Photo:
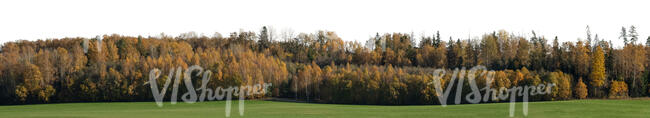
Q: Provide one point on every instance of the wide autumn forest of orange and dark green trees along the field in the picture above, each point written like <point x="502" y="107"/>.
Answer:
<point x="320" y="67"/>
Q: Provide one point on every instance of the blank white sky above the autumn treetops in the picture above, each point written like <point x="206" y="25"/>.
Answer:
<point x="351" y="20"/>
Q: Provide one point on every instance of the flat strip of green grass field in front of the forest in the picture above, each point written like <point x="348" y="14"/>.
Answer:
<point x="272" y="109"/>
